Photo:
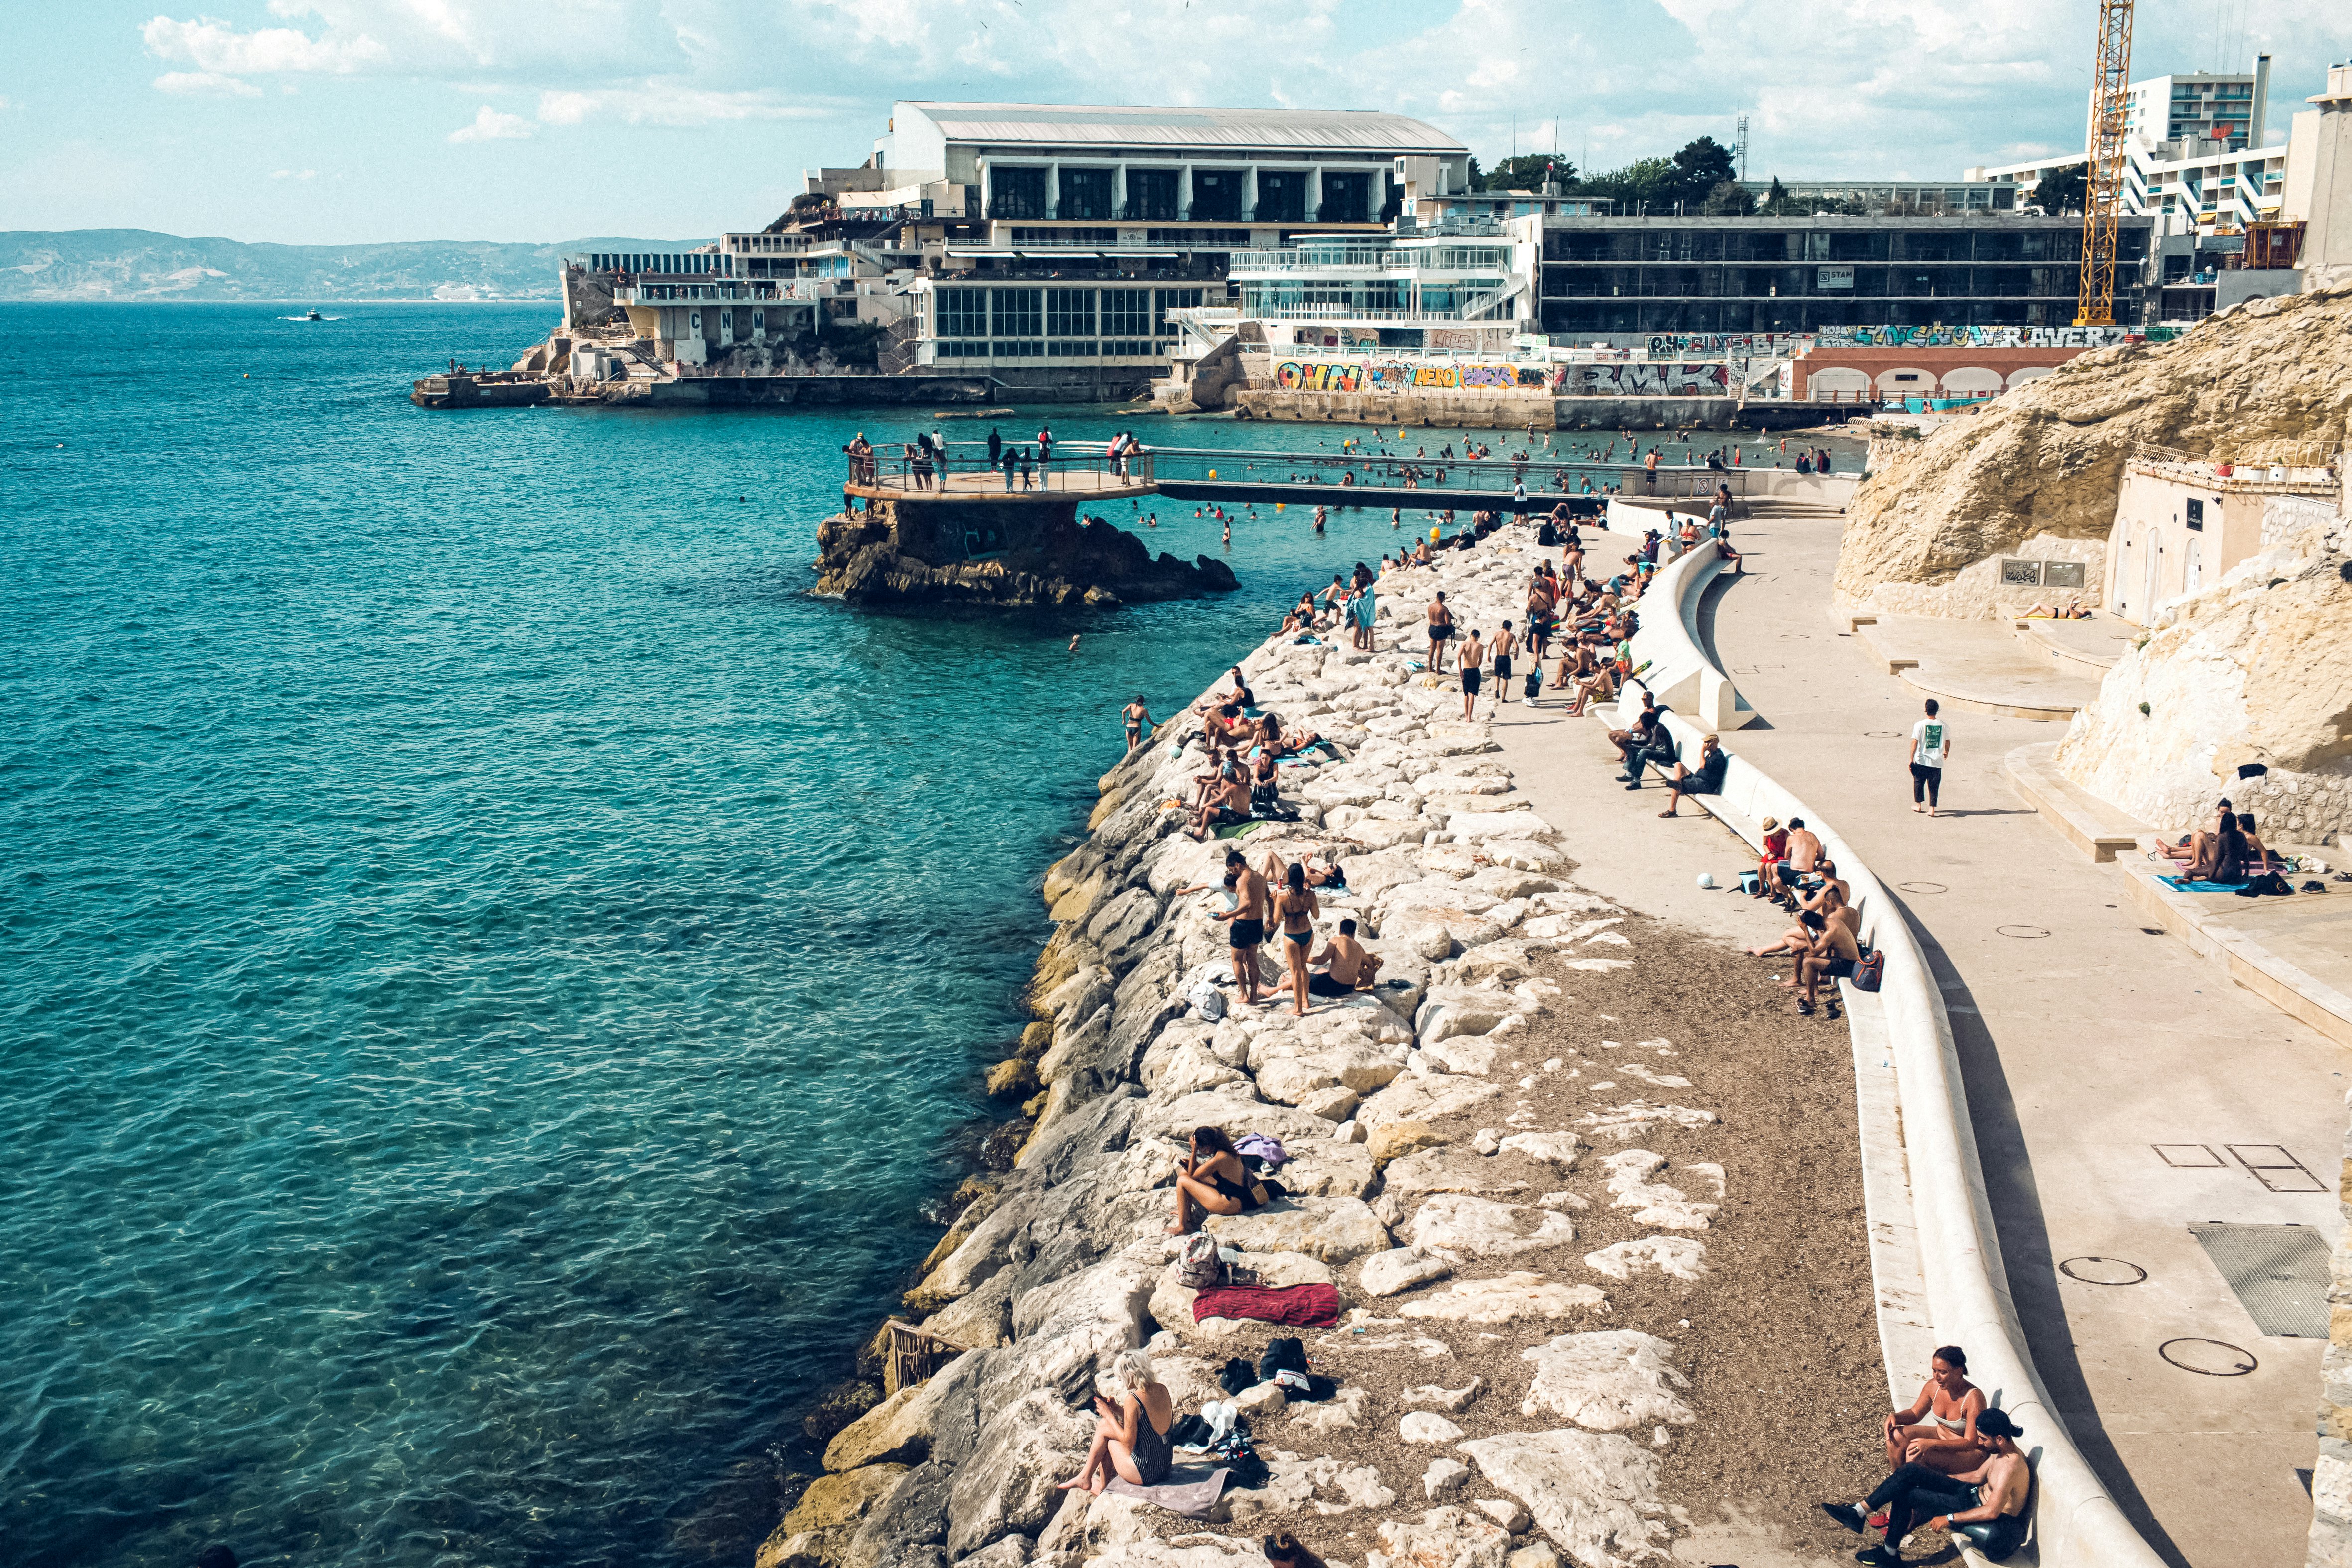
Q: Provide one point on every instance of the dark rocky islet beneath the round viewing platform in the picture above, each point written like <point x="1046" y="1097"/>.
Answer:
<point x="918" y="554"/>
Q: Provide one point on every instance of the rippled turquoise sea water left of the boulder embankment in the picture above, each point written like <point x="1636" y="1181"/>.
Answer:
<point x="493" y="967"/>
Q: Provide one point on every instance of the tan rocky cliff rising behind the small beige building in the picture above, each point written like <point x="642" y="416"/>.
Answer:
<point x="2038" y="474"/>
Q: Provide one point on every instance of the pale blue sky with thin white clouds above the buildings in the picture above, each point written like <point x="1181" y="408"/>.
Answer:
<point x="368" y="121"/>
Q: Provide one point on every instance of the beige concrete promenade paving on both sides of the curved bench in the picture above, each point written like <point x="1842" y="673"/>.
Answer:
<point x="2102" y="1061"/>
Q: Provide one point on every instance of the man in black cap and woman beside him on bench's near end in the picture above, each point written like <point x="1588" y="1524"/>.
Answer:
<point x="1956" y="1466"/>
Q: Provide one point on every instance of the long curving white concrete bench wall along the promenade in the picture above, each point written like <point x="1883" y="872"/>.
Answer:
<point x="1958" y="1252"/>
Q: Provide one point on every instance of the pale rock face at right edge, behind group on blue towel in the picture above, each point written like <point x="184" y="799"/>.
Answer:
<point x="2257" y="669"/>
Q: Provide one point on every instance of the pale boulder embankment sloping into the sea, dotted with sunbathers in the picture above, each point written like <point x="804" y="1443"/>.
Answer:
<point x="1497" y="1193"/>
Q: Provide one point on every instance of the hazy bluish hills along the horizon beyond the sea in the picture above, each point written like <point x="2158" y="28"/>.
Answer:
<point x="142" y="264"/>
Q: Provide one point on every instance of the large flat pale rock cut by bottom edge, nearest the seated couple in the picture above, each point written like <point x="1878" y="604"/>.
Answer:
<point x="1596" y="1494"/>
